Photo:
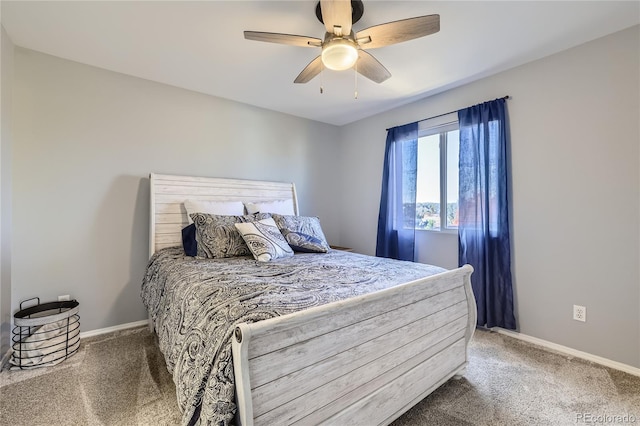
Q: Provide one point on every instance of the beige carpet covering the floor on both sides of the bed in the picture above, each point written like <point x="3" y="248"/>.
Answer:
<point x="121" y="379"/>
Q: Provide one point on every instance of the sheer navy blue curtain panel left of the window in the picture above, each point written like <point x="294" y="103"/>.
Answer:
<point x="397" y="216"/>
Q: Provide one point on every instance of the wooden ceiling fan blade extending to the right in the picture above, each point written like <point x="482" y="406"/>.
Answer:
<point x="398" y="31"/>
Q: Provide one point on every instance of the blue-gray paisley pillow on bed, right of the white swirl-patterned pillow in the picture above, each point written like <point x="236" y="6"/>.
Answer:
<point x="304" y="227"/>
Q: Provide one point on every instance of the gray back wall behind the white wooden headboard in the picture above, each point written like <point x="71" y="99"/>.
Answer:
<point x="86" y="140"/>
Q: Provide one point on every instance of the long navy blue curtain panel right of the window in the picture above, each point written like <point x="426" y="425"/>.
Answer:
<point x="483" y="228"/>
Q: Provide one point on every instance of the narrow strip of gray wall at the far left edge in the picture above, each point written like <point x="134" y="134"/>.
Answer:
<point x="6" y="85"/>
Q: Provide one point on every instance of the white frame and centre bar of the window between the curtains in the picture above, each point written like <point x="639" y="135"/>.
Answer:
<point x="440" y="126"/>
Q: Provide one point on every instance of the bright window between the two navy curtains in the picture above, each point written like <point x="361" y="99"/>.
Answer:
<point x="437" y="177"/>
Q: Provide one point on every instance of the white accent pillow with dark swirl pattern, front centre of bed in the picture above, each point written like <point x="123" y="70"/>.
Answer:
<point x="264" y="240"/>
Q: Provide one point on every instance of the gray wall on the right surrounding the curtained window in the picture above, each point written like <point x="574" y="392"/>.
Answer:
<point x="576" y="192"/>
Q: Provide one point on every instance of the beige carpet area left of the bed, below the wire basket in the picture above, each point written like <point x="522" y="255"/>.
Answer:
<point x="116" y="379"/>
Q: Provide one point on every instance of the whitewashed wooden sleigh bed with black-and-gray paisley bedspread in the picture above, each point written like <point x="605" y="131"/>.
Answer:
<point x="332" y="338"/>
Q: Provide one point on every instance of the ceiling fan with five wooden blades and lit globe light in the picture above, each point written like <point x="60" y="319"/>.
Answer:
<point x="342" y="48"/>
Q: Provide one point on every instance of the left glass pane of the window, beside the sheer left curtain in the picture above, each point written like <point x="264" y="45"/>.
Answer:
<point x="428" y="184"/>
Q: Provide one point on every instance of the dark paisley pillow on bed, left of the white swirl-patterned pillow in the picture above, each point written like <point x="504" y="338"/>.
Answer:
<point x="217" y="236"/>
